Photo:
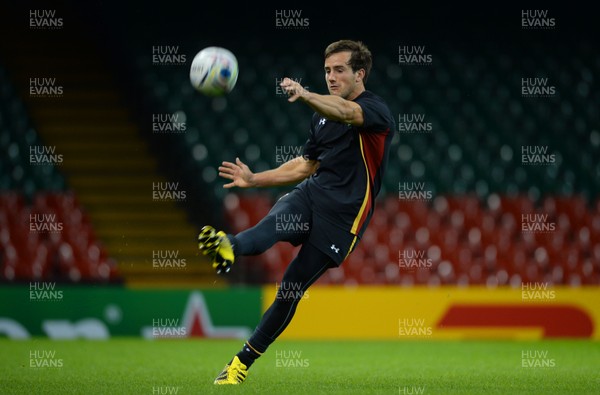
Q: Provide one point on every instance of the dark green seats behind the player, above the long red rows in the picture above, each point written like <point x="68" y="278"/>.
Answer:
<point x="479" y="122"/>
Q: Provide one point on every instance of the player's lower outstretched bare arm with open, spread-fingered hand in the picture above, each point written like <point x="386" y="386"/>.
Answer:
<point x="290" y="172"/>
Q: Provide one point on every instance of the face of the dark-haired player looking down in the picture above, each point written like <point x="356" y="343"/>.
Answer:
<point x="341" y="80"/>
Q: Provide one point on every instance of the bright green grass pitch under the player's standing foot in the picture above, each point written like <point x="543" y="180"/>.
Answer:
<point x="135" y="366"/>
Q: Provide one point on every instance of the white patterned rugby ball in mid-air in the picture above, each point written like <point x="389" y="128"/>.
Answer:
<point x="214" y="71"/>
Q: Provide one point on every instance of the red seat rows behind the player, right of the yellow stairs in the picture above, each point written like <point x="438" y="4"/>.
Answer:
<point x="462" y="240"/>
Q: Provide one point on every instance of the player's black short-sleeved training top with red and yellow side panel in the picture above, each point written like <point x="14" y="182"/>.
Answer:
<point x="352" y="163"/>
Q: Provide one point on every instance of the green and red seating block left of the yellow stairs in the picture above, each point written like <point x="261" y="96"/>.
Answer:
<point x="45" y="234"/>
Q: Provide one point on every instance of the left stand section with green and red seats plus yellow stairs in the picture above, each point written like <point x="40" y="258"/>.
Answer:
<point x="102" y="189"/>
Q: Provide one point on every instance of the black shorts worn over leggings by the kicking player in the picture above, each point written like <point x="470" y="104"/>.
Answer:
<point x="296" y="222"/>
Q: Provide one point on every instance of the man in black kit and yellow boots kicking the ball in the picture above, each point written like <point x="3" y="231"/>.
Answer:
<point x="339" y="176"/>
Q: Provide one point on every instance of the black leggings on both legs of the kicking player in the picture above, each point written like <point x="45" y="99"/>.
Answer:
<point x="301" y="273"/>
